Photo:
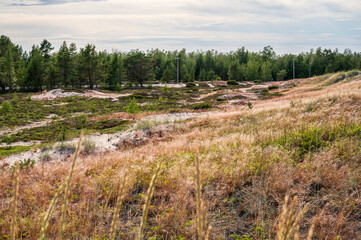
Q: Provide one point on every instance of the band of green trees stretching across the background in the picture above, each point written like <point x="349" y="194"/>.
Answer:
<point x="43" y="68"/>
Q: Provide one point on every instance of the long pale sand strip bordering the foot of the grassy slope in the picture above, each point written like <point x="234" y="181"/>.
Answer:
<point x="105" y="142"/>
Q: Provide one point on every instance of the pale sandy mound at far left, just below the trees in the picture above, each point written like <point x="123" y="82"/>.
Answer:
<point x="59" y="93"/>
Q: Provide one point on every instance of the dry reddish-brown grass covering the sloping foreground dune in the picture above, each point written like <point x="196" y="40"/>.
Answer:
<point x="304" y="144"/>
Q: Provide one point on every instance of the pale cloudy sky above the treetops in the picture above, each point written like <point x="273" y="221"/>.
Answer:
<point x="289" y="26"/>
